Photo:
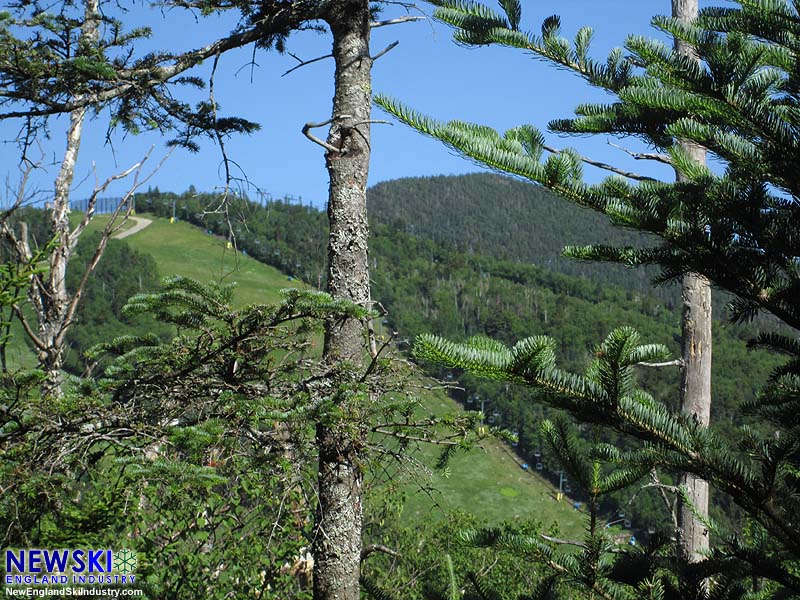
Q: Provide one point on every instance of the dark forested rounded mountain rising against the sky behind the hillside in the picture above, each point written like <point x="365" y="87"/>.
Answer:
<point x="494" y="215"/>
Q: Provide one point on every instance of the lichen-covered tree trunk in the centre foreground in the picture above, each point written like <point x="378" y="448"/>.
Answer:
<point x="337" y="539"/>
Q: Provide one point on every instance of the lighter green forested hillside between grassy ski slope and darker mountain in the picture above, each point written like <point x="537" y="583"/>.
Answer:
<point x="430" y="286"/>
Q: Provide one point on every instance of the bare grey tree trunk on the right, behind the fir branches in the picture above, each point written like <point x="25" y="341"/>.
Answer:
<point x="696" y="352"/>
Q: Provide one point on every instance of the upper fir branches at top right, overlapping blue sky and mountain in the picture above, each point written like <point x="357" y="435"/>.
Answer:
<point x="737" y="106"/>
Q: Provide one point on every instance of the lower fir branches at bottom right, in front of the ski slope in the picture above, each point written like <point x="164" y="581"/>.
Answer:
<point x="606" y="395"/>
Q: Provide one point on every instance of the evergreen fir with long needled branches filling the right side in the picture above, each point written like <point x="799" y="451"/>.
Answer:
<point x="738" y="99"/>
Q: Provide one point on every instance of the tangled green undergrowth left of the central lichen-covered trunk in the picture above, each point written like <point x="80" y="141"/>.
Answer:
<point x="193" y="450"/>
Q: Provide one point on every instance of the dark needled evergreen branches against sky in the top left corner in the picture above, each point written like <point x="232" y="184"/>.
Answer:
<point x="51" y="63"/>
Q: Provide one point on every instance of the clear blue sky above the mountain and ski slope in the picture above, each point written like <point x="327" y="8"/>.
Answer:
<point x="497" y="87"/>
